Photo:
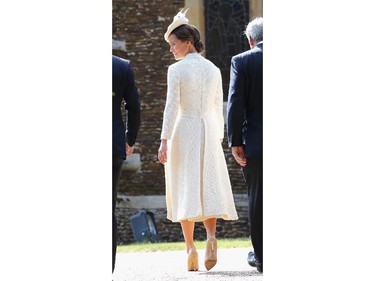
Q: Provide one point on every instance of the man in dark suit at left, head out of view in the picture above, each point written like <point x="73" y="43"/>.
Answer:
<point x="124" y="92"/>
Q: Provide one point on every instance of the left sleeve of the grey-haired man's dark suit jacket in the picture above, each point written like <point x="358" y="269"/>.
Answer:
<point x="236" y="104"/>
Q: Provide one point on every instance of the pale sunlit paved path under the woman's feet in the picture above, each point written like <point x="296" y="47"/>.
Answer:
<point x="171" y="265"/>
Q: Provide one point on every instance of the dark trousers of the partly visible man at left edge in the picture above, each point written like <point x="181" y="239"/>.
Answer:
<point x="116" y="173"/>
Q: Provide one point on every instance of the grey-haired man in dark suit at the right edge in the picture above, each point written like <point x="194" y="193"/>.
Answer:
<point x="245" y="129"/>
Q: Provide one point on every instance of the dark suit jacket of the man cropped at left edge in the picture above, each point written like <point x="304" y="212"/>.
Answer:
<point x="124" y="90"/>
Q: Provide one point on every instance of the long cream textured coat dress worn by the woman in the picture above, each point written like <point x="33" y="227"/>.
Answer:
<point x="197" y="180"/>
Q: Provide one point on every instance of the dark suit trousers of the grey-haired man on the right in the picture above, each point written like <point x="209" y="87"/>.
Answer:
<point x="253" y="174"/>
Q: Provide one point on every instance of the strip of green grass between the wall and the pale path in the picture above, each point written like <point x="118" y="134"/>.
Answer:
<point x="174" y="246"/>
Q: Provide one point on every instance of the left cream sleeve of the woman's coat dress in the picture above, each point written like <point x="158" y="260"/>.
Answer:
<point x="172" y="103"/>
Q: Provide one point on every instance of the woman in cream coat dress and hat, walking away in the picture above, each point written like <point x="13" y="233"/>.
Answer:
<point x="197" y="181"/>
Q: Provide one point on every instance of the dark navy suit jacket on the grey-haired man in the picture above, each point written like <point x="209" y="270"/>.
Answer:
<point x="245" y="101"/>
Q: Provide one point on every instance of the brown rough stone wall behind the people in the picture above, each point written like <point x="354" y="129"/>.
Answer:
<point x="138" y="29"/>
